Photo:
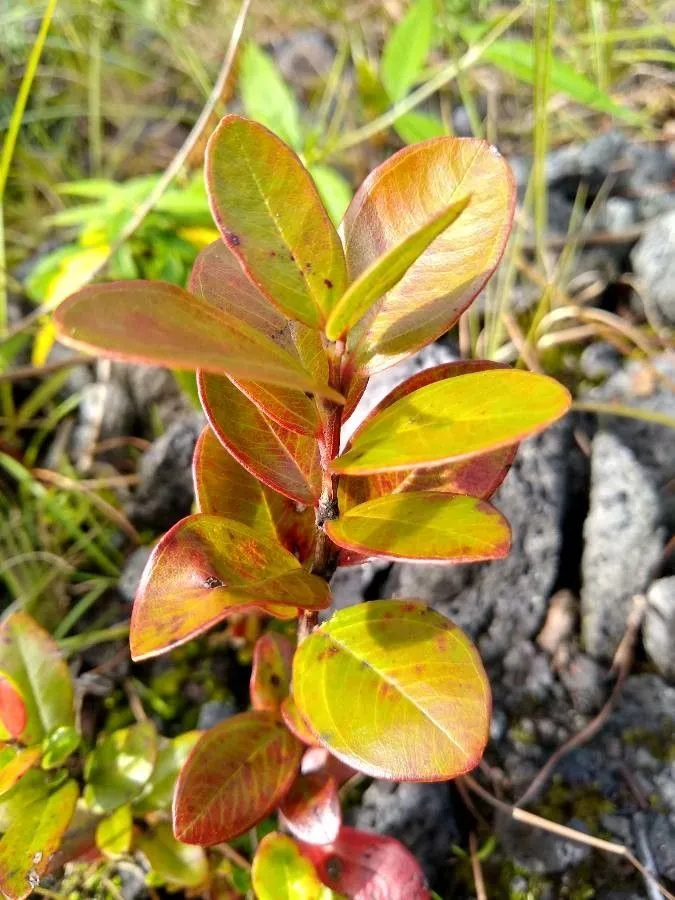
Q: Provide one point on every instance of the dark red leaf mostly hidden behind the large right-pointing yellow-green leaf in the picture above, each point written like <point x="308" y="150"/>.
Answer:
<point x="478" y="476"/>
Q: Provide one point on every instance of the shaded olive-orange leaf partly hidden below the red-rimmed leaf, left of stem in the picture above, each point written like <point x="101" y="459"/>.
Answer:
<point x="225" y="488"/>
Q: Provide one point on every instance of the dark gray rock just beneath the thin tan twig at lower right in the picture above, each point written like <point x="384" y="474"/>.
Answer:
<point x="537" y="851"/>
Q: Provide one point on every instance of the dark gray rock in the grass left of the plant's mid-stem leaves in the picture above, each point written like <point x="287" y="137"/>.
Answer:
<point x="165" y="492"/>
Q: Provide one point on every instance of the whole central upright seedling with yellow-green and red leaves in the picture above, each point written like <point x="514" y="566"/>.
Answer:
<point x="285" y="319"/>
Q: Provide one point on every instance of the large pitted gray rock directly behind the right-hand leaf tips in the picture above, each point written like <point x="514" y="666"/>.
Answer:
<point x="507" y="597"/>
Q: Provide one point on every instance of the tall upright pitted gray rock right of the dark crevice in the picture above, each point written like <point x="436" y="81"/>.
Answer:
<point x="623" y="543"/>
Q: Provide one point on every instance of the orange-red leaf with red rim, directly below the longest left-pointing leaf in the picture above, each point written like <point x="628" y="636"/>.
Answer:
<point x="284" y="461"/>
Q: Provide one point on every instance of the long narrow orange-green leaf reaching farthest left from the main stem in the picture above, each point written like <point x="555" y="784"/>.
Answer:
<point x="155" y="323"/>
